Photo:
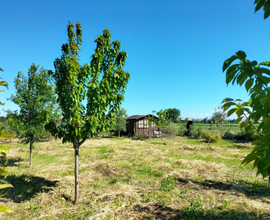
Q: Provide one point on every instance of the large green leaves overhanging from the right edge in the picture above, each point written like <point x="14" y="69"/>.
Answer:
<point x="256" y="79"/>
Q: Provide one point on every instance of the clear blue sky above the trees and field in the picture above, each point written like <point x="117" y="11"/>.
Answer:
<point x="175" y="48"/>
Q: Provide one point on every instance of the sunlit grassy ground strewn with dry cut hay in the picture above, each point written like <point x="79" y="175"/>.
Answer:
<point x="120" y="178"/>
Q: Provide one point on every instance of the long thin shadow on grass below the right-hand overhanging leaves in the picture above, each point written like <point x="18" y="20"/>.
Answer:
<point x="249" y="189"/>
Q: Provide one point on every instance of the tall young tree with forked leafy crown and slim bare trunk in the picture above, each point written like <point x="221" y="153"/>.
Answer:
<point x="102" y="84"/>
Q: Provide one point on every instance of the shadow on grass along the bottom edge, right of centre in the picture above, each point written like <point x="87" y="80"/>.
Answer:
<point x="193" y="211"/>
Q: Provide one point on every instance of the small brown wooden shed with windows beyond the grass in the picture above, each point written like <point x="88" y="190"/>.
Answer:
<point x="138" y="125"/>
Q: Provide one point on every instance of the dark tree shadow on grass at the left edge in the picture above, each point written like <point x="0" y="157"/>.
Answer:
<point x="26" y="187"/>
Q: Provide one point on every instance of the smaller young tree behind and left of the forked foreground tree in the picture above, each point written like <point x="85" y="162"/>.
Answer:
<point x="36" y="99"/>
